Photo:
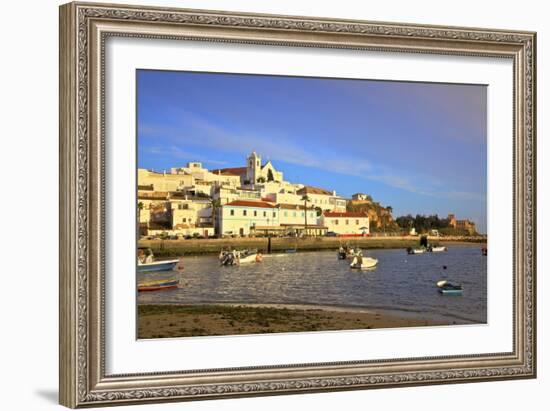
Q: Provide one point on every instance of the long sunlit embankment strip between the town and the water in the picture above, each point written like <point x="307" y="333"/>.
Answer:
<point x="194" y="247"/>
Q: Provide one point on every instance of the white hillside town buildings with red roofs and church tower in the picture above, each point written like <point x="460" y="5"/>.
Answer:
<point x="253" y="201"/>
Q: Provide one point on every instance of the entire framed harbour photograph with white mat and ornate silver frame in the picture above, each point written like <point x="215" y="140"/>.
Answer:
<point x="260" y="204"/>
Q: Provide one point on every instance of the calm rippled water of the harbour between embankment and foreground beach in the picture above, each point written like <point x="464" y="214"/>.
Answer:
<point x="399" y="282"/>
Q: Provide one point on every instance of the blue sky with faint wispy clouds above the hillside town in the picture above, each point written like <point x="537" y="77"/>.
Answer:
<point x="419" y="147"/>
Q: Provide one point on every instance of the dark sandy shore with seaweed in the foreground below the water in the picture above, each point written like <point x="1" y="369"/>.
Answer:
<point x="186" y="320"/>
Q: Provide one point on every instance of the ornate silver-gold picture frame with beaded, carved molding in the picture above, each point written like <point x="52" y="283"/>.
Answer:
<point x="84" y="29"/>
